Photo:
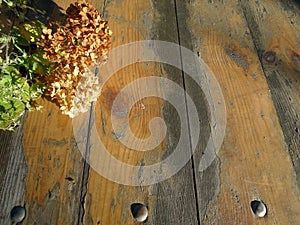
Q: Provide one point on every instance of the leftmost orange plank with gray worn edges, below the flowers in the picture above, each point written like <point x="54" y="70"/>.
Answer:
<point x="44" y="167"/>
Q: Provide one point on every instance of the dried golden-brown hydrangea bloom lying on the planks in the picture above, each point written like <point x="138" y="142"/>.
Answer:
<point x="73" y="48"/>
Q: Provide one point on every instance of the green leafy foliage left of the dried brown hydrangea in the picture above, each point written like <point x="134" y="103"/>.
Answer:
<point x="18" y="90"/>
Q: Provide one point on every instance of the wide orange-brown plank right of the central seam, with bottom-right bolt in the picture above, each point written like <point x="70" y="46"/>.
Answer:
<point x="253" y="162"/>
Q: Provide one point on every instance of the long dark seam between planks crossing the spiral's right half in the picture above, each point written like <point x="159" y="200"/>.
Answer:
<point x="188" y="117"/>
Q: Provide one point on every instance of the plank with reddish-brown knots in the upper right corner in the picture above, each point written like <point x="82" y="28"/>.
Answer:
<point x="279" y="50"/>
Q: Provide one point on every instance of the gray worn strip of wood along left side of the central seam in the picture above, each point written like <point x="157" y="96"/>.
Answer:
<point x="176" y="197"/>
